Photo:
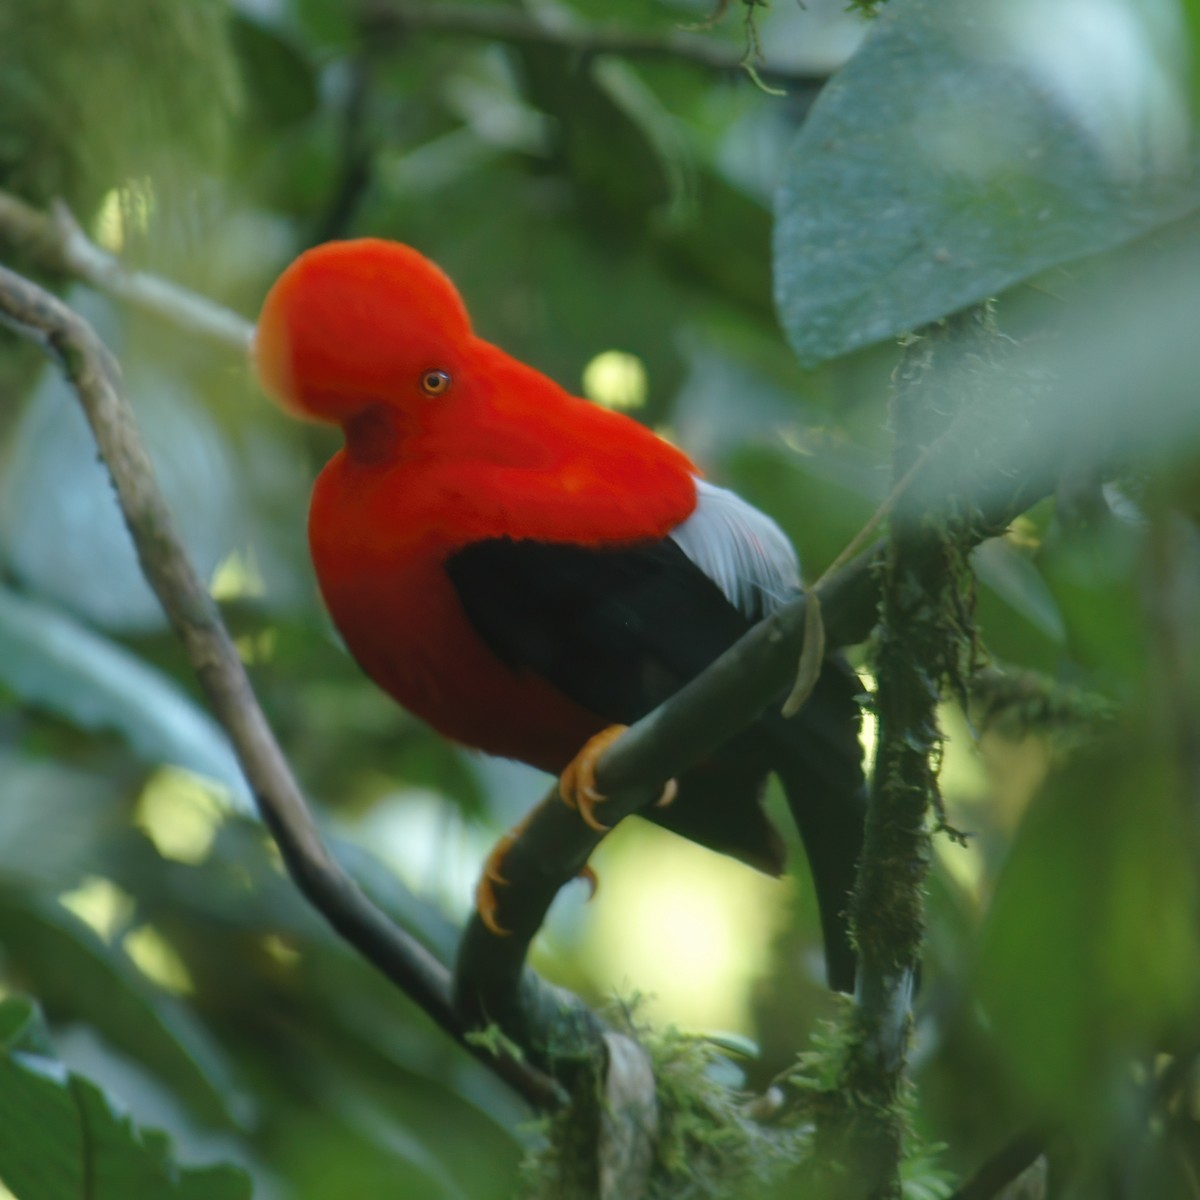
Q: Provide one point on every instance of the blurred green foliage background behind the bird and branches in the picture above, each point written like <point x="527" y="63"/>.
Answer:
<point x="586" y="206"/>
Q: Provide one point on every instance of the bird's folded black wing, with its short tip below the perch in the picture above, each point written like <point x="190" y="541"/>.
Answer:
<point x="619" y="631"/>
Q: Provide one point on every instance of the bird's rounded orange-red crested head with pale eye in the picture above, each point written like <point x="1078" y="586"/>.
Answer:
<point x="355" y="328"/>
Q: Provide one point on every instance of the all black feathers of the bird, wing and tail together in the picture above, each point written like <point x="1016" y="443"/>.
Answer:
<point x="621" y="629"/>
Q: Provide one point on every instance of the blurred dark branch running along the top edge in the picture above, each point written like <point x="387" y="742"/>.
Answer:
<point x="520" y="28"/>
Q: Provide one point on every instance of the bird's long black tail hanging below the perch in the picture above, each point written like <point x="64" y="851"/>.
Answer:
<point x="819" y="760"/>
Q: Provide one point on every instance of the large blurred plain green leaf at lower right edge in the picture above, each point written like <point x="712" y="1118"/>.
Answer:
<point x="1090" y="952"/>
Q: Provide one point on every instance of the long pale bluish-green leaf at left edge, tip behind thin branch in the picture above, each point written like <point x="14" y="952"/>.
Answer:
<point x="52" y="662"/>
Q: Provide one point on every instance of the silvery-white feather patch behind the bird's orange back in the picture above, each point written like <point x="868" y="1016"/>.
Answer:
<point x="741" y="550"/>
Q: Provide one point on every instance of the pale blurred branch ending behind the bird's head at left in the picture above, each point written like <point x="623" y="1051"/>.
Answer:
<point x="56" y="243"/>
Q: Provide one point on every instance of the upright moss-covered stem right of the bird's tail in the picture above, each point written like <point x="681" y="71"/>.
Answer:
<point x="946" y="386"/>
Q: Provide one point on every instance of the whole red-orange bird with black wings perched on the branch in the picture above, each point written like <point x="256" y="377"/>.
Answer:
<point x="524" y="569"/>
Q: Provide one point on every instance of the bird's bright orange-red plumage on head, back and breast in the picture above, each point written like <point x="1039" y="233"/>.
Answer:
<point x="347" y="335"/>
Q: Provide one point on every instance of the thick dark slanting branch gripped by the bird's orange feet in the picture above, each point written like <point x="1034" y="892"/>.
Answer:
<point x="554" y="845"/>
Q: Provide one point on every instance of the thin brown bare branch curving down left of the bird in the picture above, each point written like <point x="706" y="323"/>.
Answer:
<point x="94" y="375"/>
